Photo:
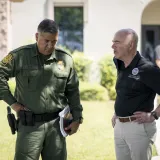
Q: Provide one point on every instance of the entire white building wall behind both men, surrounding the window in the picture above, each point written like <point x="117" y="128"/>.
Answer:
<point x="102" y="19"/>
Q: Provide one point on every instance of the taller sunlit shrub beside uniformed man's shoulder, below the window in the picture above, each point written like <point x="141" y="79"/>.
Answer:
<point x="82" y="65"/>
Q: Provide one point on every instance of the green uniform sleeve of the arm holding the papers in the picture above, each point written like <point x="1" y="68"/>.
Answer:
<point x="72" y="94"/>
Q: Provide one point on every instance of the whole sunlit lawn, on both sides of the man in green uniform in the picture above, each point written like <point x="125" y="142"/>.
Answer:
<point x="93" y="141"/>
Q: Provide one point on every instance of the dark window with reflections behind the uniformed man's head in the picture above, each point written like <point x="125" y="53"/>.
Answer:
<point x="70" y="21"/>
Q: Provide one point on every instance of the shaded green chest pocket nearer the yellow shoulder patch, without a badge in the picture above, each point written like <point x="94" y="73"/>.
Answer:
<point x="31" y="79"/>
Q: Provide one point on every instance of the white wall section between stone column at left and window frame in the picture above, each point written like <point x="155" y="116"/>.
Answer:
<point x="25" y="19"/>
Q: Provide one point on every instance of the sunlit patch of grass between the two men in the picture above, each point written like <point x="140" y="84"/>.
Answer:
<point x="95" y="138"/>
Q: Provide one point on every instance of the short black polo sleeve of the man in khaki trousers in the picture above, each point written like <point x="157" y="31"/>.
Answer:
<point x="150" y="76"/>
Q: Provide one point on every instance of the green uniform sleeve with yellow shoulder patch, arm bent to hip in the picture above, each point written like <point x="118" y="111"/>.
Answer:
<point x="7" y="70"/>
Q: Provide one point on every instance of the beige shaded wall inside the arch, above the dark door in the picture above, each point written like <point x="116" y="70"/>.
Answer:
<point x="151" y="14"/>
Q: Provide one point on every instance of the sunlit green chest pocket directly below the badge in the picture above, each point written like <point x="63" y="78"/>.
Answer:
<point x="60" y="80"/>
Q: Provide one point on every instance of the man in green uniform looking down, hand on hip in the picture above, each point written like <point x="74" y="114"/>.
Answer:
<point x="46" y="82"/>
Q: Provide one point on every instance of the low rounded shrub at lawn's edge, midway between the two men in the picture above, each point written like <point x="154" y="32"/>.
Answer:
<point x="90" y="92"/>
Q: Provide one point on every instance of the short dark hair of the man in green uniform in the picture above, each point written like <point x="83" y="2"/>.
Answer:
<point x="48" y="25"/>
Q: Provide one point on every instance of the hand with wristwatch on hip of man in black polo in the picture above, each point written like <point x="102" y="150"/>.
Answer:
<point x="143" y="117"/>
